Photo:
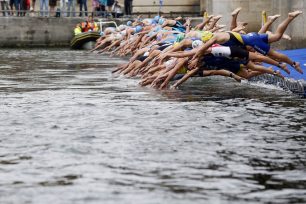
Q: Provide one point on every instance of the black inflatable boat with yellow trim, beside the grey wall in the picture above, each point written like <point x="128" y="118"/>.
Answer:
<point x="86" y="40"/>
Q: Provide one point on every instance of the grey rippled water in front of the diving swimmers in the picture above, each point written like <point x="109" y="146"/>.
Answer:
<point x="71" y="132"/>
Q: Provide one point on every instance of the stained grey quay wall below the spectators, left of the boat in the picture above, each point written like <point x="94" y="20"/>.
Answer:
<point x="37" y="31"/>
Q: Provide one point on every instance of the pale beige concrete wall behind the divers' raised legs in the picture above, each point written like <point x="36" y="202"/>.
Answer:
<point x="251" y="13"/>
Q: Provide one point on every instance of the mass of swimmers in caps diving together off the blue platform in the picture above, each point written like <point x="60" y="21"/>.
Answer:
<point x="163" y="50"/>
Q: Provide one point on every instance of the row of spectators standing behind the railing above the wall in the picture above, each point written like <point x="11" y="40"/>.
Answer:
<point x="65" y="8"/>
